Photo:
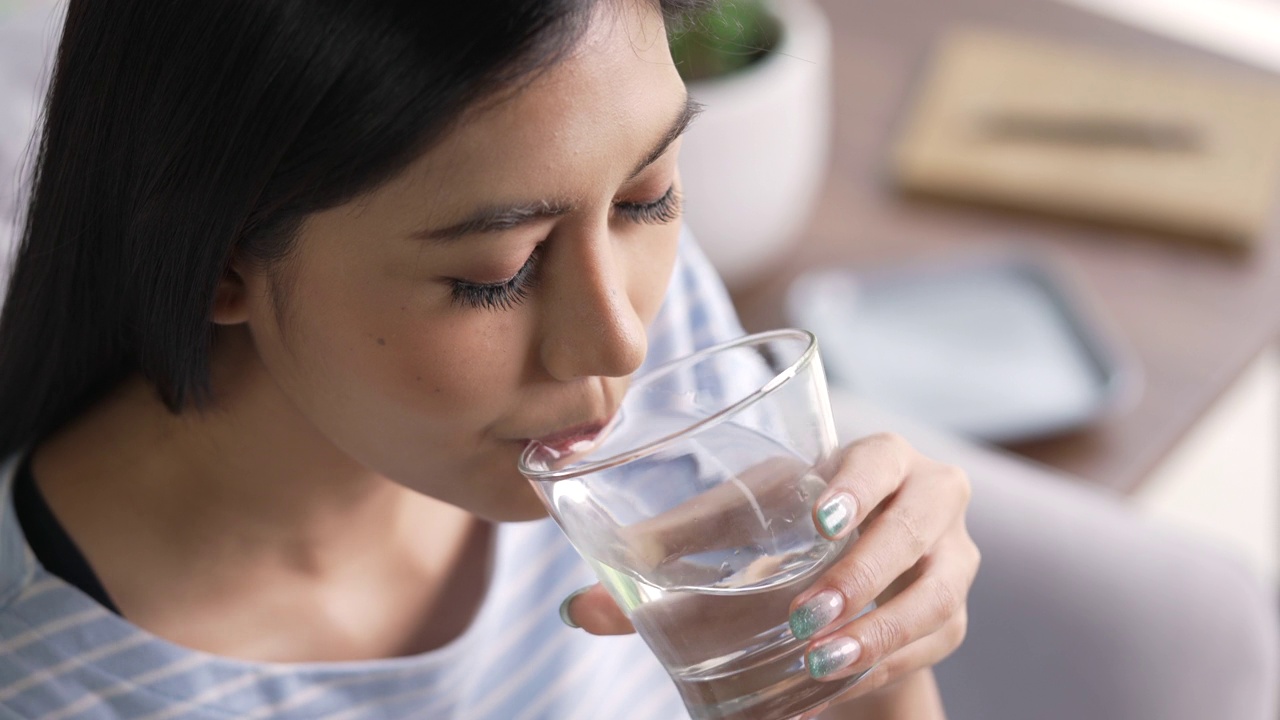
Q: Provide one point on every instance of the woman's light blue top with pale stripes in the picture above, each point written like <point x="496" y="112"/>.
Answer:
<point x="66" y="658"/>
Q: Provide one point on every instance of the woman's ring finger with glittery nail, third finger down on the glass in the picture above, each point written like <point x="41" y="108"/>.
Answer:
<point x="927" y="608"/>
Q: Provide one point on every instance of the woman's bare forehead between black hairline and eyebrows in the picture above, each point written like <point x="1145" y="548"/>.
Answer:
<point x="580" y="125"/>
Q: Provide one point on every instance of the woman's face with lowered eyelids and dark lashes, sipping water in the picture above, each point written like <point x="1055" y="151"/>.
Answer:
<point x="500" y="289"/>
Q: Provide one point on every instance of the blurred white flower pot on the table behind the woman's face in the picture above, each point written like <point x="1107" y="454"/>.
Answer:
<point x="753" y="163"/>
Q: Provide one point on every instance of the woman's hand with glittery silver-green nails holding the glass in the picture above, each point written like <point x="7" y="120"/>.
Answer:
<point x="915" y="559"/>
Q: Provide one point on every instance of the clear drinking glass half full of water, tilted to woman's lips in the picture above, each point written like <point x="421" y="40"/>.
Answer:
<point x="696" y="509"/>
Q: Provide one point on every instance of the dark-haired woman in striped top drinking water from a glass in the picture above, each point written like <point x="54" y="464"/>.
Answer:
<point x="298" y="284"/>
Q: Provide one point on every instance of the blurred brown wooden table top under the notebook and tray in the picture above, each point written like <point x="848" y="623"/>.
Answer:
<point x="1194" y="317"/>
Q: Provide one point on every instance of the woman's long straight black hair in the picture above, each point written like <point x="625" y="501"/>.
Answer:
<point x="180" y="134"/>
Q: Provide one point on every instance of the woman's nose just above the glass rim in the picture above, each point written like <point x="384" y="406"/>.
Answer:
<point x="591" y="327"/>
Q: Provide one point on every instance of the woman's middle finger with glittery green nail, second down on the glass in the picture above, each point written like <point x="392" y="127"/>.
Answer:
<point x="915" y="521"/>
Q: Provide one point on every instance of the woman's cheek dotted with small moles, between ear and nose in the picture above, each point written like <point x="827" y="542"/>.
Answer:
<point x="392" y="377"/>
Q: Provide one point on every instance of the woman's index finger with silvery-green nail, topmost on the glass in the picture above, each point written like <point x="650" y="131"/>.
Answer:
<point x="868" y="472"/>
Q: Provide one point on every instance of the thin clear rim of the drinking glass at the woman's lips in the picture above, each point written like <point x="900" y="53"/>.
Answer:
<point x="803" y="361"/>
